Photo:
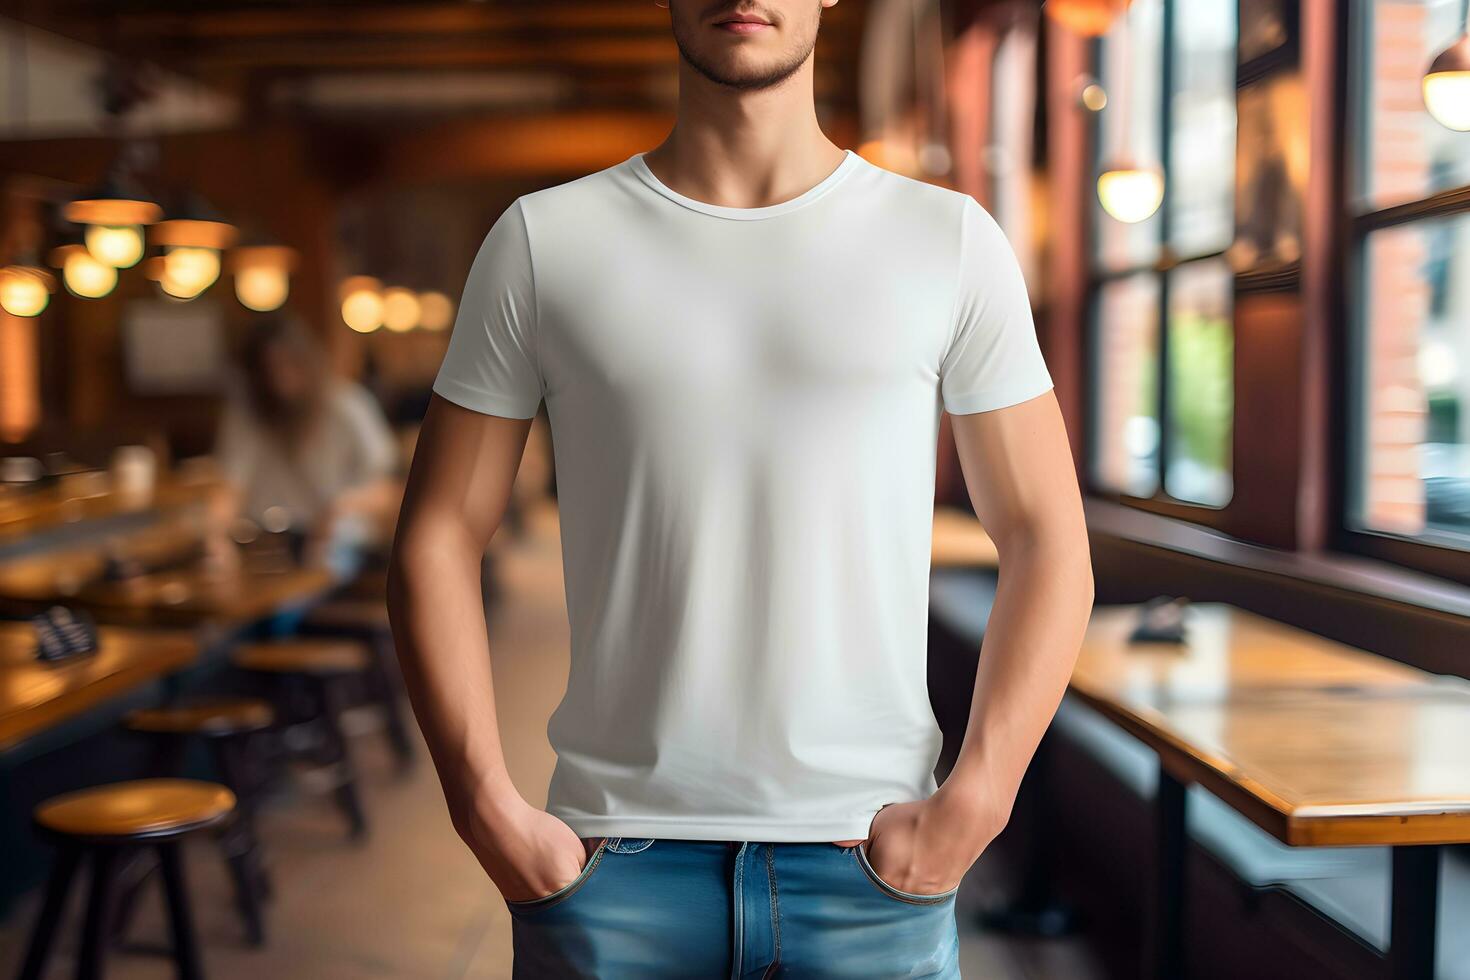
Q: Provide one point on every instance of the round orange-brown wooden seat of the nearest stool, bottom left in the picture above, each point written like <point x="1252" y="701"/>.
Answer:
<point x="137" y="809"/>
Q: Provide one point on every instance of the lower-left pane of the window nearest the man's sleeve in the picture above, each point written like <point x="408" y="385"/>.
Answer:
<point x="1127" y="386"/>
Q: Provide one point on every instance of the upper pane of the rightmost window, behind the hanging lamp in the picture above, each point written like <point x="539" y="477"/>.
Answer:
<point x="1406" y="154"/>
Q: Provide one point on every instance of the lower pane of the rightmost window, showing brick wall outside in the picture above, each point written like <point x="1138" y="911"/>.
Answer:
<point x="1415" y="417"/>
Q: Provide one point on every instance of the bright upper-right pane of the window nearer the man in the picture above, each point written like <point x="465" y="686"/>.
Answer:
<point x="1202" y="149"/>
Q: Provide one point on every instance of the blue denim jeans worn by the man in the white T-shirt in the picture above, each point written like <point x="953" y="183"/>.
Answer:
<point x="708" y="910"/>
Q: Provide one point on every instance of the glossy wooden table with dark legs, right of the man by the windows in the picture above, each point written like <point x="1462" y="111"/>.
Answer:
<point x="1316" y="743"/>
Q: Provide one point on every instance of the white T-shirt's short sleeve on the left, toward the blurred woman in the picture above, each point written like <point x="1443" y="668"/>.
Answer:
<point x="492" y="362"/>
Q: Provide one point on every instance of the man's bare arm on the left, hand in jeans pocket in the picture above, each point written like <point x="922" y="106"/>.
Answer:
<point x="459" y="484"/>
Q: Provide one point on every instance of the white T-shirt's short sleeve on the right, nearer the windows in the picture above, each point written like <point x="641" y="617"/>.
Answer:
<point x="994" y="359"/>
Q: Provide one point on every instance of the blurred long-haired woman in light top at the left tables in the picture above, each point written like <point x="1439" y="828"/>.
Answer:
<point x="305" y="450"/>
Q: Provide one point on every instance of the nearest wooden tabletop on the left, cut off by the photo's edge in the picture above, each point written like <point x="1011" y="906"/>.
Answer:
<point x="37" y="696"/>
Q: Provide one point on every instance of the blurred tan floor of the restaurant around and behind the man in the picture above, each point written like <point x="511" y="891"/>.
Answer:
<point x="411" y="903"/>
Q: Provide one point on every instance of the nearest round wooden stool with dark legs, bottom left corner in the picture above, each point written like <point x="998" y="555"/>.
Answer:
<point x="104" y="822"/>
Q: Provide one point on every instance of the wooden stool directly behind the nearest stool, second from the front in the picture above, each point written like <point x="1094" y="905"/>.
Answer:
<point x="227" y="727"/>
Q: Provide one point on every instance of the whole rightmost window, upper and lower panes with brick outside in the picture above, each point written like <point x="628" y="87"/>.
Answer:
<point x="1409" y="465"/>
